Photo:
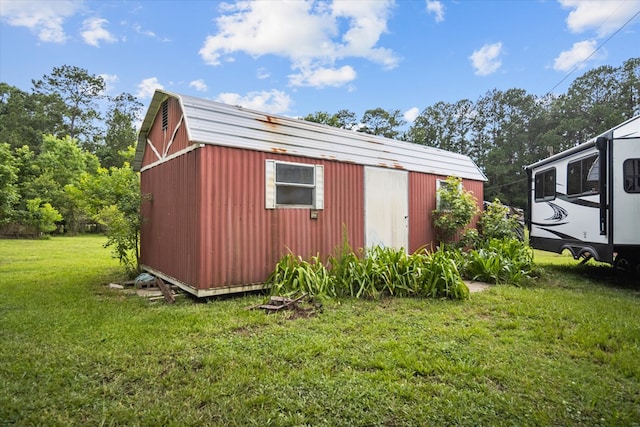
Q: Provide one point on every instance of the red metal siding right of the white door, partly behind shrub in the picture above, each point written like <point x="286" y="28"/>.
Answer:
<point x="422" y="201"/>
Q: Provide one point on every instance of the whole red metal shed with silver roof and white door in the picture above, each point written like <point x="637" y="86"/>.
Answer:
<point x="232" y="190"/>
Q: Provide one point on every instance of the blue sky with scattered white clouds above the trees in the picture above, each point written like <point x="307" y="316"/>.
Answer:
<point x="298" y="57"/>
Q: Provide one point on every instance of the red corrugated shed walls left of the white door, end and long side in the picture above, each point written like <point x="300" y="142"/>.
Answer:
<point x="208" y="227"/>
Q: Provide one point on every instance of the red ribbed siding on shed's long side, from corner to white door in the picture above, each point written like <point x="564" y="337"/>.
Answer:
<point x="242" y="241"/>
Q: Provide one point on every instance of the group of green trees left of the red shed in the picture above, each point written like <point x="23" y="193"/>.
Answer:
<point x="65" y="154"/>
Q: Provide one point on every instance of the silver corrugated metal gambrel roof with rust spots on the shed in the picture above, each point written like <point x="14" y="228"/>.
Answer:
<point x="210" y="122"/>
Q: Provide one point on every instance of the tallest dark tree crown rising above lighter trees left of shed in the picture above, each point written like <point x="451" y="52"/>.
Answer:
<point x="80" y="93"/>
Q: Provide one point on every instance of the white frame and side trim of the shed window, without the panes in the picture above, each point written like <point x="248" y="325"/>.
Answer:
<point x="271" y="186"/>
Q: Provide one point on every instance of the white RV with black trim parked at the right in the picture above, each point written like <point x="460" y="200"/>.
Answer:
<point x="587" y="199"/>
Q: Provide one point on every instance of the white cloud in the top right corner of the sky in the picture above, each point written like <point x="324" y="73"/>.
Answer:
<point x="603" y="16"/>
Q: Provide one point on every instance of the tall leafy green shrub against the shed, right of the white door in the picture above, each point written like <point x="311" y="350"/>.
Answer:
<point x="456" y="208"/>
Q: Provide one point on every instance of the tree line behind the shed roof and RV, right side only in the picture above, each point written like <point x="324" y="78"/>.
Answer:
<point x="503" y="131"/>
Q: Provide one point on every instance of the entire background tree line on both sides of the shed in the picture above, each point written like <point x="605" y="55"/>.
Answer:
<point x="66" y="147"/>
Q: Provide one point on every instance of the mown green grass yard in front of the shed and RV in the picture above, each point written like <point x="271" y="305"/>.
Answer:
<point x="564" y="351"/>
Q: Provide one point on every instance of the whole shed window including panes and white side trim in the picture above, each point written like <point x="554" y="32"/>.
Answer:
<point x="294" y="185"/>
